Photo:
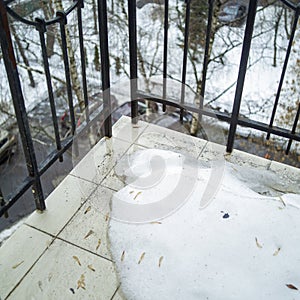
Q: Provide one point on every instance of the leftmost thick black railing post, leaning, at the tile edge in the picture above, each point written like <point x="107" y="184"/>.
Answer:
<point x="19" y="106"/>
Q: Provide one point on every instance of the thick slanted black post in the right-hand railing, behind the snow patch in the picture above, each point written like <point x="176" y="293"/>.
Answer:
<point x="242" y="73"/>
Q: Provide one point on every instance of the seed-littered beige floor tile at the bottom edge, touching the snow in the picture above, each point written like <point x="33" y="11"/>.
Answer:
<point x="67" y="272"/>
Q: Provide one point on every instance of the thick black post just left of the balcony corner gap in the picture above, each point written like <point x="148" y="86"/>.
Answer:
<point x="103" y="35"/>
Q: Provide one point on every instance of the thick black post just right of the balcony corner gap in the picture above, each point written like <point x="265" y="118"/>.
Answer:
<point x="133" y="58"/>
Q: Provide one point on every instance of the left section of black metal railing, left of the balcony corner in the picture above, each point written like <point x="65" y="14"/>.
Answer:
<point x="35" y="170"/>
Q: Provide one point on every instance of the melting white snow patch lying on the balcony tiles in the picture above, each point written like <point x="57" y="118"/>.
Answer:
<point x="241" y="246"/>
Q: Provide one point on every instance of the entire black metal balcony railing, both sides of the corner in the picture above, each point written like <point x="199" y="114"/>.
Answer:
<point x="234" y="118"/>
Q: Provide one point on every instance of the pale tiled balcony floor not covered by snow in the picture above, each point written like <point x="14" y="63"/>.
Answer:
<point x="65" y="252"/>
